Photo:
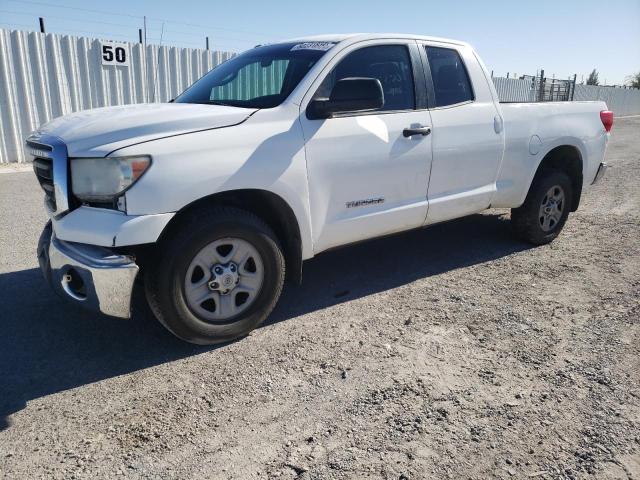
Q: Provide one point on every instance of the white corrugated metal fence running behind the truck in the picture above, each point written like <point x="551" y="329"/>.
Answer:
<point x="45" y="76"/>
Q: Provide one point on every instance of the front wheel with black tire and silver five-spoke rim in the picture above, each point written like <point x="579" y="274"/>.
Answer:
<point x="172" y="278"/>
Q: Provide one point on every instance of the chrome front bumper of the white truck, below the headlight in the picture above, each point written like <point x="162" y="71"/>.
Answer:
<point x="91" y="276"/>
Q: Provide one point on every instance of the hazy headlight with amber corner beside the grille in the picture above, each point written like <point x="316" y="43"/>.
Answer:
<point x="104" y="179"/>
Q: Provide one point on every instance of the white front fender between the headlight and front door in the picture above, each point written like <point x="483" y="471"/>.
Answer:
<point x="264" y="153"/>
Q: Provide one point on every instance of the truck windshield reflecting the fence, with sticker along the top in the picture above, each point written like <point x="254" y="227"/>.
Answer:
<point x="259" y="78"/>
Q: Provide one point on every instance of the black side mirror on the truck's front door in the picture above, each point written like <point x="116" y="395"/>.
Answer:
<point x="348" y="95"/>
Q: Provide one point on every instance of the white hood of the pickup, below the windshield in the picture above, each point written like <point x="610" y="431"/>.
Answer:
<point x="100" y="131"/>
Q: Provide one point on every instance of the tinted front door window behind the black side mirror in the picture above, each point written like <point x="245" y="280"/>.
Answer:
<point x="390" y="64"/>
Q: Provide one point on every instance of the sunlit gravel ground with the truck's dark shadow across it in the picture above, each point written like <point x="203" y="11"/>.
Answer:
<point x="450" y="352"/>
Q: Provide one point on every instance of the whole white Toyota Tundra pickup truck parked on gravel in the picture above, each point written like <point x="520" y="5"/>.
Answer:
<point x="288" y="150"/>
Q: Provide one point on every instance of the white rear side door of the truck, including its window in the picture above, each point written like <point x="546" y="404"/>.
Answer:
<point x="467" y="135"/>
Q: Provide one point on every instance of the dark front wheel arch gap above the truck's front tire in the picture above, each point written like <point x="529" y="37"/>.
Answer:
<point x="270" y="207"/>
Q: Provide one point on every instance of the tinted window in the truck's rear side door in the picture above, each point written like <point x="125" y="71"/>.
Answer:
<point x="450" y="79"/>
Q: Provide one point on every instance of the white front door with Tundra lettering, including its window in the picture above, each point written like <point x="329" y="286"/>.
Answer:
<point x="366" y="178"/>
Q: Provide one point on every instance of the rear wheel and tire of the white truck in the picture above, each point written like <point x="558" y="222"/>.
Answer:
<point x="532" y="222"/>
